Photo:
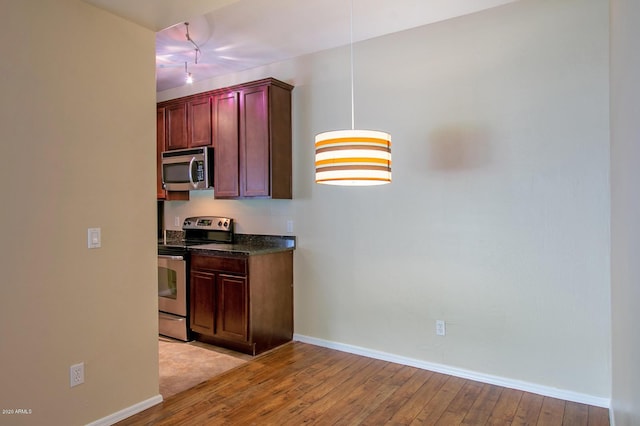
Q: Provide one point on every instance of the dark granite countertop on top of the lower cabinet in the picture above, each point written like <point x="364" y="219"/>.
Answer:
<point x="245" y="244"/>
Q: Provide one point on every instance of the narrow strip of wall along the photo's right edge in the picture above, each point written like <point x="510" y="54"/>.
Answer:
<point x="625" y="210"/>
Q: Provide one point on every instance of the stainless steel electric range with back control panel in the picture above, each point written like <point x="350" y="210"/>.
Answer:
<point x="173" y="270"/>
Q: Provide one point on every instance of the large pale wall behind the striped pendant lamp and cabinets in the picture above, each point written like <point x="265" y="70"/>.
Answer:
<point x="497" y="220"/>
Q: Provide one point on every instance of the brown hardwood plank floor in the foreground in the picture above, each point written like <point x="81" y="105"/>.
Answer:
<point x="300" y="383"/>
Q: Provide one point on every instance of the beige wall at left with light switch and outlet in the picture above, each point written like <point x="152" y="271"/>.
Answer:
<point x="77" y="117"/>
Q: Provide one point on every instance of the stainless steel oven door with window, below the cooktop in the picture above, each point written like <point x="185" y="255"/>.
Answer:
<point x="172" y="285"/>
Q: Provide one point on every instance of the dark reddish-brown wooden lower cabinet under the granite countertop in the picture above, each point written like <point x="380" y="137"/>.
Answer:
<point x="242" y="303"/>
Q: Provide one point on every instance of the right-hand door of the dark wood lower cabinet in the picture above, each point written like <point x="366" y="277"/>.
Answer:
<point x="232" y="308"/>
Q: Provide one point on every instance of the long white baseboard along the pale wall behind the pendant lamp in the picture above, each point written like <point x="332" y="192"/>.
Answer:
<point x="459" y="372"/>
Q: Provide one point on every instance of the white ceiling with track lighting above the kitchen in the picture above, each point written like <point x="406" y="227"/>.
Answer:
<point x="235" y="35"/>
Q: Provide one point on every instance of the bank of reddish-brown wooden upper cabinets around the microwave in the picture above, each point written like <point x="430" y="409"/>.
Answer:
<point x="249" y="127"/>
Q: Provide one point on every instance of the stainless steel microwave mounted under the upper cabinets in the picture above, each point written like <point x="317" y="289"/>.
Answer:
<point x="187" y="169"/>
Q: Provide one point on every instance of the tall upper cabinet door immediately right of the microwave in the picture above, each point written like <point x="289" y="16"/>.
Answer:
<point x="225" y="145"/>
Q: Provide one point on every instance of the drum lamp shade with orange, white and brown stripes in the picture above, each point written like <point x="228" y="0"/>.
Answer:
<point x="353" y="157"/>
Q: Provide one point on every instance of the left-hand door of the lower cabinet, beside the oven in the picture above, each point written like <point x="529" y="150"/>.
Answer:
<point x="203" y="302"/>
